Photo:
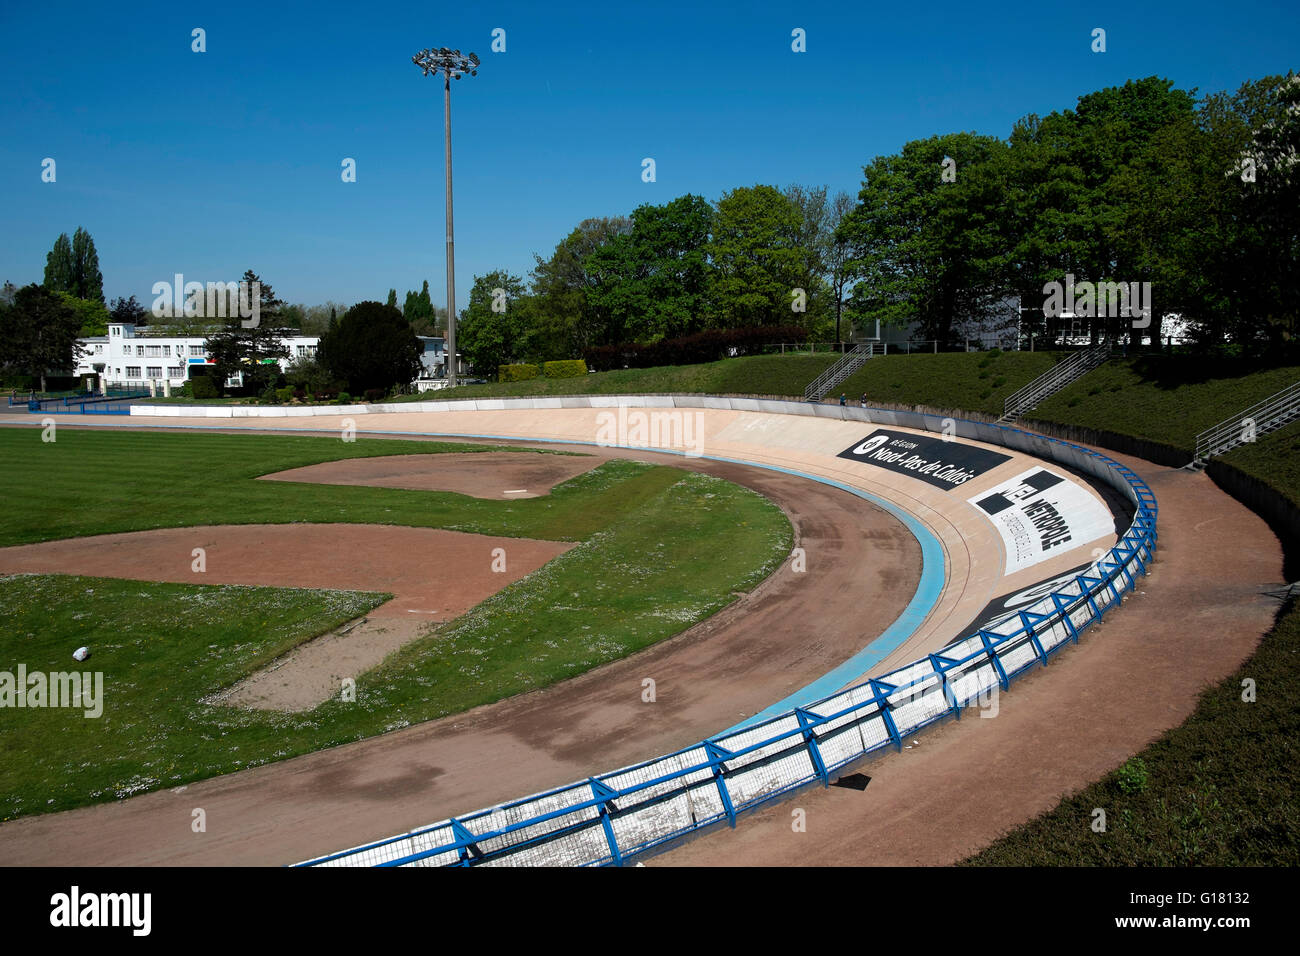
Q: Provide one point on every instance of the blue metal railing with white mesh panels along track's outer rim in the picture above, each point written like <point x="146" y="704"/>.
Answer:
<point x="605" y="820"/>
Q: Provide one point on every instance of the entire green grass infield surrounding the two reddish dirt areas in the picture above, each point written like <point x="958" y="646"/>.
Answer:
<point x="660" y="550"/>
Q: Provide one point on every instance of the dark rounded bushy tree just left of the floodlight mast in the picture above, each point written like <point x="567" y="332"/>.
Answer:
<point x="371" y="348"/>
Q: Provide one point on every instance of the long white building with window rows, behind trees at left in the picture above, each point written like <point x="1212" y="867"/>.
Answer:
<point x="138" y="358"/>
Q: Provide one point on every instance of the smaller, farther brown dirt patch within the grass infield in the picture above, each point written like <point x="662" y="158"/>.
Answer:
<point x="478" y="474"/>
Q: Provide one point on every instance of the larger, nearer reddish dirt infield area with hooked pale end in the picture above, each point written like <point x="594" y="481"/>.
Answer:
<point x="345" y="557"/>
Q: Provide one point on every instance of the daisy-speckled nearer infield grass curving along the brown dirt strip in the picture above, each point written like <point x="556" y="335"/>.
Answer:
<point x="671" y="550"/>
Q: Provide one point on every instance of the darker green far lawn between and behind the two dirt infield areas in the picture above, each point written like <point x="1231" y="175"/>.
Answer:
<point x="109" y="482"/>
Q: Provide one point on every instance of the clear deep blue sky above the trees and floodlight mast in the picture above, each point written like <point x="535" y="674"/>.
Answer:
<point x="213" y="163"/>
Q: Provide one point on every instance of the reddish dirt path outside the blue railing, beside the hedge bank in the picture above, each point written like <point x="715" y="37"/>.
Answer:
<point x="1198" y="617"/>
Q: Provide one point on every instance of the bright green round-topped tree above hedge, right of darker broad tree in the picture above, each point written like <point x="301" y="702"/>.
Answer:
<point x="757" y="256"/>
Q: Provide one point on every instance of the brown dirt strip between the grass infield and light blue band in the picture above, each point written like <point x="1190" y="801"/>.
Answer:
<point x="863" y="569"/>
